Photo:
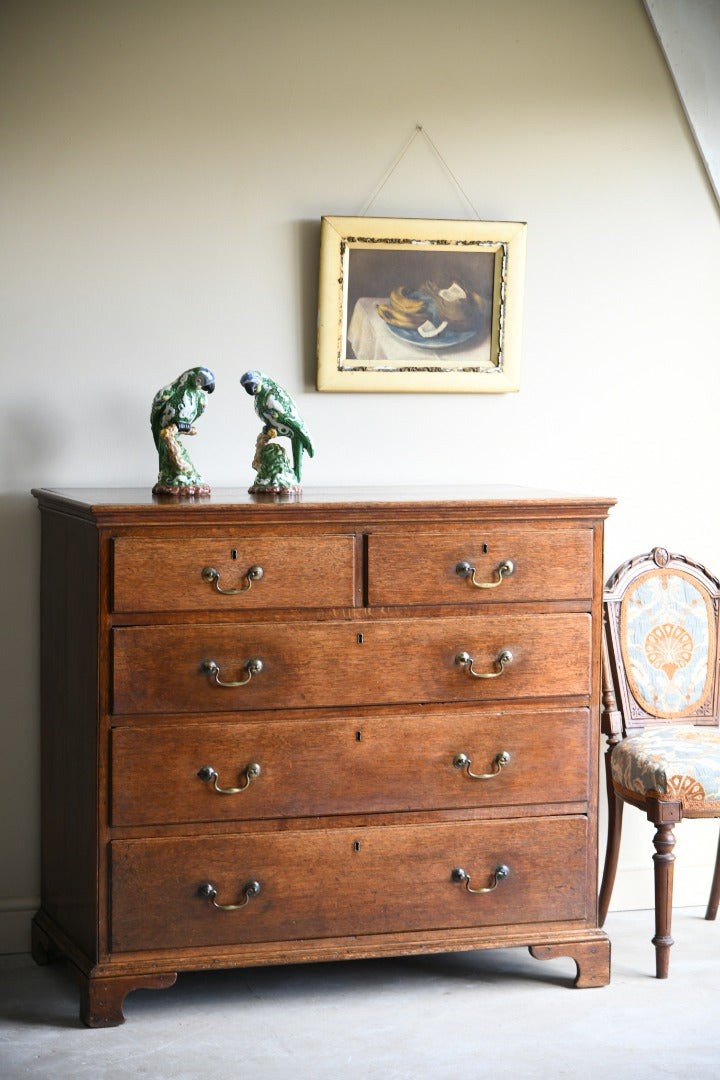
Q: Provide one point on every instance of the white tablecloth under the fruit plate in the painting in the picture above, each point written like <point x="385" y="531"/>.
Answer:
<point x="376" y="346"/>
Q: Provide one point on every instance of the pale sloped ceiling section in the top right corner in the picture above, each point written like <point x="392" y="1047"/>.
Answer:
<point x="689" y="33"/>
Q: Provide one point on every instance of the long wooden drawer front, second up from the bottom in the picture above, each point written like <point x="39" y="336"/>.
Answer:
<point x="346" y="766"/>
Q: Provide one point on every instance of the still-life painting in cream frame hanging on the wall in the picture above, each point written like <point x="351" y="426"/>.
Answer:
<point x="420" y="306"/>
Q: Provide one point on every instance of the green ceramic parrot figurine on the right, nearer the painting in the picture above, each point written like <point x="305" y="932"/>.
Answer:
<point x="280" y="417"/>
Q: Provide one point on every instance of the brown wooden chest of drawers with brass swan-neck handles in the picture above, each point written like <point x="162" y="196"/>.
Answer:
<point x="357" y="724"/>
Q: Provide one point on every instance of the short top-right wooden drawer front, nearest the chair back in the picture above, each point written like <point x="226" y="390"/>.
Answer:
<point x="420" y="569"/>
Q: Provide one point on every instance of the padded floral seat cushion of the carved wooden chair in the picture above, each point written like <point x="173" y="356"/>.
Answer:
<point x="673" y="763"/>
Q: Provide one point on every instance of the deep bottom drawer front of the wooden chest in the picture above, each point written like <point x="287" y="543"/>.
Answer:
<point x="331" y="883"/>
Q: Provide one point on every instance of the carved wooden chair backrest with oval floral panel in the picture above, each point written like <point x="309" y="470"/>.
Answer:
<point x="662" y="625"/>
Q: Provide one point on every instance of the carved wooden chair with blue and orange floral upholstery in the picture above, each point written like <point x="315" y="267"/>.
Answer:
<point x="660" y="714"/>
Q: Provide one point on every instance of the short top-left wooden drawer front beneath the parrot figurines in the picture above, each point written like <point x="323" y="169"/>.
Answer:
<point x="297" y="572"/>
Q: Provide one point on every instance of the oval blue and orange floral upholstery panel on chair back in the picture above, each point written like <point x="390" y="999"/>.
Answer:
<point x="668" y="633"/>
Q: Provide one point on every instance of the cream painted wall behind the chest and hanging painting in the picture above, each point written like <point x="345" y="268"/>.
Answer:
<point x="165" y="170"/>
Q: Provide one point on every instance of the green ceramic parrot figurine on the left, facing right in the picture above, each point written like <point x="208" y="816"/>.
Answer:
<point x="175" y="410"/>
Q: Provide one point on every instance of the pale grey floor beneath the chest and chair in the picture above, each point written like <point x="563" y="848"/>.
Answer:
<point x="463" y="1017"/>
